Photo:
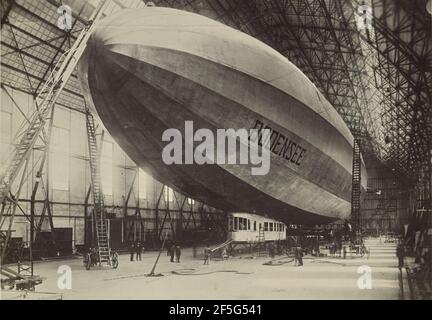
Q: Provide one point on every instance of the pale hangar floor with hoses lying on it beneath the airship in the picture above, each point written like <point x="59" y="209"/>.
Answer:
<point x="236" y="278"/>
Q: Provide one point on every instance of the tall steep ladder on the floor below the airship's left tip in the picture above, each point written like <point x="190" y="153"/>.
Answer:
<point x="100" y="221"/>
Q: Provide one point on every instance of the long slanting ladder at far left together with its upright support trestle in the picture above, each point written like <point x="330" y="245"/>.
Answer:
<point x="33" y="135"/>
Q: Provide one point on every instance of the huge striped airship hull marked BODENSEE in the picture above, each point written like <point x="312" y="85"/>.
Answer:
<point x="145" y="71"/>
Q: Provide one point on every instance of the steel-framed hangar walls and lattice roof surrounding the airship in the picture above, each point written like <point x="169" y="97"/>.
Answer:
<point x="374" y="67"/>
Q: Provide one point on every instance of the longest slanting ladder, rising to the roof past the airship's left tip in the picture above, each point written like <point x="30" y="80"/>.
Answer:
<point x="30" y="131"/>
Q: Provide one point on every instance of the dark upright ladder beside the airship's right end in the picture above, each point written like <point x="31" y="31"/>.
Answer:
<point x="356" y="185"/>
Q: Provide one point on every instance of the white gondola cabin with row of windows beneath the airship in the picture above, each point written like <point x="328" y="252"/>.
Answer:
<point x="246" y="227"/>
